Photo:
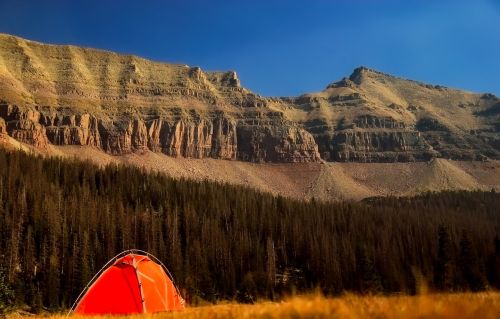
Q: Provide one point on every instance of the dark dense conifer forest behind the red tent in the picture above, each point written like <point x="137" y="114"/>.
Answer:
<point x="61" y="220"/>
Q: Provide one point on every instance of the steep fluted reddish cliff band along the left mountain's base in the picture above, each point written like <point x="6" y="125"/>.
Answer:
<point x="216" y="136"/>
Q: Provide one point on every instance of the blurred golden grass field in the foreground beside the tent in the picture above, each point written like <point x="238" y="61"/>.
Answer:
<point x="465" y="305"/>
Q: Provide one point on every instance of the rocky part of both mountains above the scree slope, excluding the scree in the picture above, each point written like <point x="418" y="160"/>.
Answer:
<point x="65" y="95"/>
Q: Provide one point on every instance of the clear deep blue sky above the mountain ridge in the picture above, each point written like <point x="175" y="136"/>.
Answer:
<point x="283" y="47"/>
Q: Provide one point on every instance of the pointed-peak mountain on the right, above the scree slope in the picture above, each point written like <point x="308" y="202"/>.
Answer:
<point x="375" y="117"/>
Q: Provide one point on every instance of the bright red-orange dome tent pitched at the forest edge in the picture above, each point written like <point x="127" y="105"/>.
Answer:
<point x="130" y="283"/>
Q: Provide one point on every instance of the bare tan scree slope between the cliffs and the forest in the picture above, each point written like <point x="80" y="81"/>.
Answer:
<point x="326" y="181"/>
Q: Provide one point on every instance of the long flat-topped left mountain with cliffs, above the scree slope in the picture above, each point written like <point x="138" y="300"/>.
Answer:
<point x="65" y="95"/>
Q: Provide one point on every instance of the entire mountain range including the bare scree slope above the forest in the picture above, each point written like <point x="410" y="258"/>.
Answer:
<point x="71" y="101"/>
